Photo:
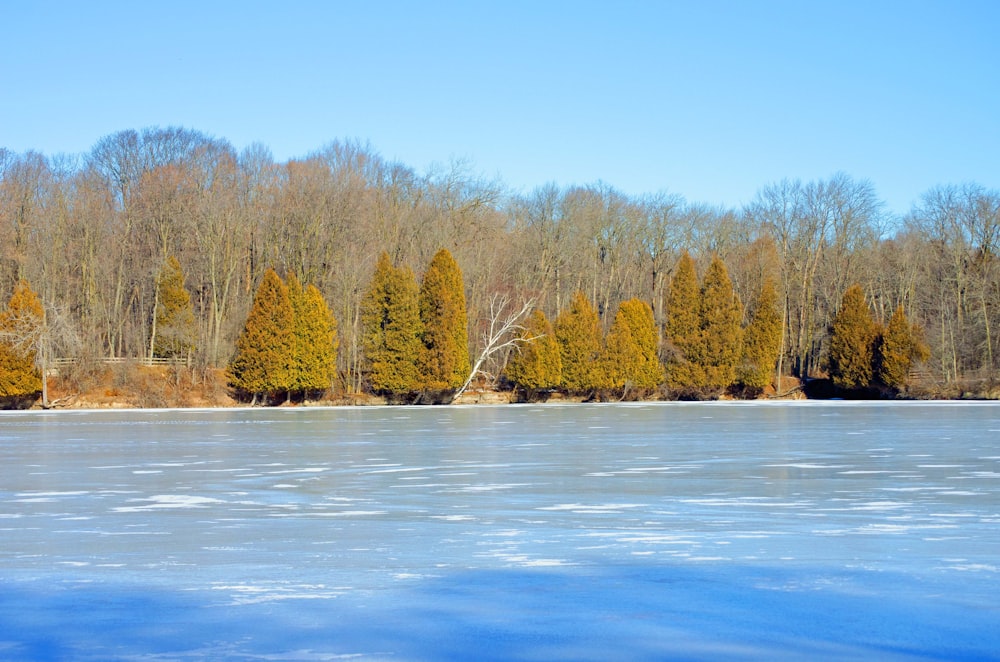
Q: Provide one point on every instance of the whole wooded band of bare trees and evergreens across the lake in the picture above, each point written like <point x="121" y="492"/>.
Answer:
<point x="157" y="242"/>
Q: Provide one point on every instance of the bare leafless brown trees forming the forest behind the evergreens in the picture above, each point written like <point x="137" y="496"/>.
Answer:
<point x="93" y="235"/>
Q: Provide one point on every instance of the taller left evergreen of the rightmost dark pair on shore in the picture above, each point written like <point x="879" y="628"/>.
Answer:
<point x="852" y="342"/>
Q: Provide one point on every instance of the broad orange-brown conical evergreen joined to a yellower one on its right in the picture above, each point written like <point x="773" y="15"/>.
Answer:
<point x="265" y="349"/>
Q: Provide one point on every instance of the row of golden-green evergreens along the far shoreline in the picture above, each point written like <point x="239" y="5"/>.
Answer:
<point x="415" y="340"/>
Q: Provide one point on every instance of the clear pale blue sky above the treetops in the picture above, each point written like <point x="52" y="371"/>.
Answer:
<point x="711" y="99"/>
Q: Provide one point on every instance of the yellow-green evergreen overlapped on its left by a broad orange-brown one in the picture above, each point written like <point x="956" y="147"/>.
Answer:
<point x="315" y="338"/>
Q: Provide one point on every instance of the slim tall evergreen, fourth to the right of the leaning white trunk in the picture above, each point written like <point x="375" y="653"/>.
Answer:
<point x="682" y="330"/>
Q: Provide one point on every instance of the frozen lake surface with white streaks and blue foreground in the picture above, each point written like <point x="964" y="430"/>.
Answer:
<point x="603" y="532"/>
